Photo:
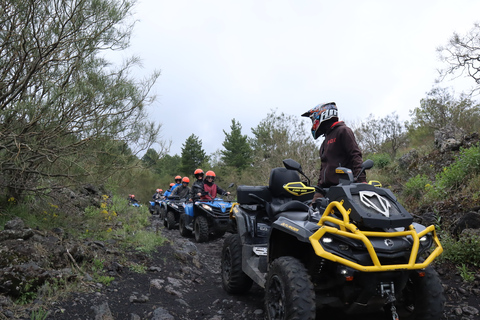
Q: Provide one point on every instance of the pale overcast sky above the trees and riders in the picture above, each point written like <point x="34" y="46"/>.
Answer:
<point x="225" y="59"/>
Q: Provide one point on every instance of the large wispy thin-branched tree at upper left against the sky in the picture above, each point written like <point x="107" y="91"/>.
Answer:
<point x="66" y="113"/>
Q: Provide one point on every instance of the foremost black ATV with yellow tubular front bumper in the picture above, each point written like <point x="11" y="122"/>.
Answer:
<point x="358" y="252"/>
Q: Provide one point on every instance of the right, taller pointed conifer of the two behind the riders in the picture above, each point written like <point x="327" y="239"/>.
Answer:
<point x="238" y="153"/>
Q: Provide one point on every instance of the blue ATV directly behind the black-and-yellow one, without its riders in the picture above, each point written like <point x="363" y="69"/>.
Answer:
<point x="205" y="218"/>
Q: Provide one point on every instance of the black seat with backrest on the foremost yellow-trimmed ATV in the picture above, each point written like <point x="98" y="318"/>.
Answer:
<point x="284" y="203"/>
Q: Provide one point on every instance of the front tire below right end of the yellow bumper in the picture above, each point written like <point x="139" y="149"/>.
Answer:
<point x="425" y="295"/>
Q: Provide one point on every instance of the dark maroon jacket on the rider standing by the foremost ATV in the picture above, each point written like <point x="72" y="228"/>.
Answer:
<point x="339" y="149"/>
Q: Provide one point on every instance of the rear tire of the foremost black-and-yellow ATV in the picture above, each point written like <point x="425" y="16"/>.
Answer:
<point x="234" y="280"/>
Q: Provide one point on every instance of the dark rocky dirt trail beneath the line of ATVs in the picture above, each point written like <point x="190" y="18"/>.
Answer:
<point x="182" y="281"/>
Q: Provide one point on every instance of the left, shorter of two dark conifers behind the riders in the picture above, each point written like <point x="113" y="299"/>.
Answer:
<point x="193" y="155"/>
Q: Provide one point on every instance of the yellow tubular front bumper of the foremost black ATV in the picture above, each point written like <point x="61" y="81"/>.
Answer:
<point x="350" y="230"/>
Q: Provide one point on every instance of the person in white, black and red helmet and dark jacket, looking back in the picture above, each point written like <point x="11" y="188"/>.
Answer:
<point x="339" y="149"/>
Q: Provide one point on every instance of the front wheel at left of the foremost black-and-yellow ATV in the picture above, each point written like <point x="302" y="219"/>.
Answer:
<point x="289" y="291"/>
